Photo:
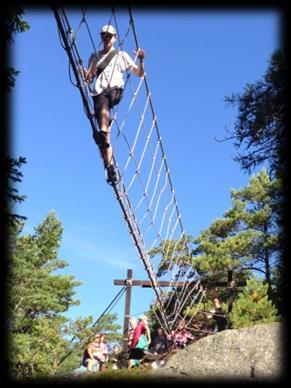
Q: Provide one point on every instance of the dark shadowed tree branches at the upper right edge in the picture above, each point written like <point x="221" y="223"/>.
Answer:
<point x="260" y="129"/>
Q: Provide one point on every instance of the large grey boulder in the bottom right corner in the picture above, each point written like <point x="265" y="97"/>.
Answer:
<point x="253" y="353"/>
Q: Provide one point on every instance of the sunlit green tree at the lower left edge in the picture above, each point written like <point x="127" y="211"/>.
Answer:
<point x="37" y="296"/>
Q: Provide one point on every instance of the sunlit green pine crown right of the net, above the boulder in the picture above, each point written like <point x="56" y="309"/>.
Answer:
<point x="246" y="238"/>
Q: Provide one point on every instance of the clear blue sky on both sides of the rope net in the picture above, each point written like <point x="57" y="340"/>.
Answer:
<point x="194" y="59"/>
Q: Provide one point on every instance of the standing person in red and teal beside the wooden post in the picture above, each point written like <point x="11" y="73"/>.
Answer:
<point x="140" y="342"/>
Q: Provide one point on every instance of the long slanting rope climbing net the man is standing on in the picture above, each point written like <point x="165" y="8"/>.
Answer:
<point x="144" y="191"/>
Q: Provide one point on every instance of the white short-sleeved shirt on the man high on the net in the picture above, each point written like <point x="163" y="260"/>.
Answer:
<point x="112" y="75"/>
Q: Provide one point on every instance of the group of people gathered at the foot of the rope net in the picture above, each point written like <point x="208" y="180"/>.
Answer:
<point x="141" y="342"/>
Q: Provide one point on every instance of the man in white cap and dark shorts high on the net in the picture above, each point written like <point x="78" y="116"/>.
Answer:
<point x="108" y="66"/>
